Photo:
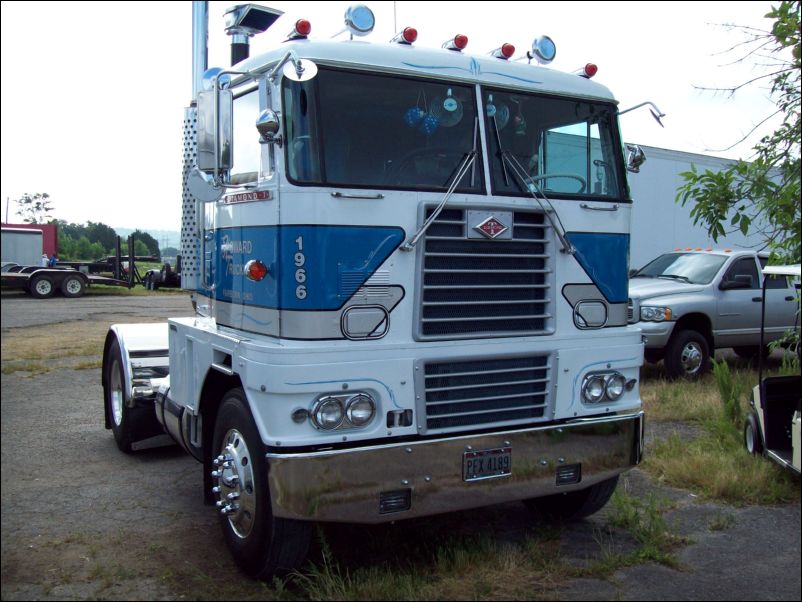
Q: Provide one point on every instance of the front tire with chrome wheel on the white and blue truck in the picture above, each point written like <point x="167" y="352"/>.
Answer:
<point x="261" y="544"/>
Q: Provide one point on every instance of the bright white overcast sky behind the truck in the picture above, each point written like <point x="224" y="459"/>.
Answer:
<point x="93" y="93"/>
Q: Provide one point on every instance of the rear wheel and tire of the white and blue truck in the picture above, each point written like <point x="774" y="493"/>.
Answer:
<point x="129" y="424"/>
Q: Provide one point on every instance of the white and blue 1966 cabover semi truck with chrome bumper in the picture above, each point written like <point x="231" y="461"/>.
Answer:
<point x="410" y="270"/>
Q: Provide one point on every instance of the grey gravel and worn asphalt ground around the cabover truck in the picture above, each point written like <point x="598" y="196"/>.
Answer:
<point x="82" y="521"/>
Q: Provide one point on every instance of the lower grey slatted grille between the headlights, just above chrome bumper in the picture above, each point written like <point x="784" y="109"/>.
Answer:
<point x="487" y="392"/>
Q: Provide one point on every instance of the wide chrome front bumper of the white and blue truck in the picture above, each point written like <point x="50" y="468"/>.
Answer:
<point x="348" y="485"/>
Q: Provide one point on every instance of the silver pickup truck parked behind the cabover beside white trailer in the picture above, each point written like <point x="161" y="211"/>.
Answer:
<point x="688" y="303"/>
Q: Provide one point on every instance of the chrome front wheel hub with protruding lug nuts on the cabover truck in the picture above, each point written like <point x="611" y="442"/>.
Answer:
<point x="235" y="488"/>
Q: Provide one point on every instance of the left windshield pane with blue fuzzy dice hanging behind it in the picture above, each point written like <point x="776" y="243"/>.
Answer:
<point x="375" y="131"/>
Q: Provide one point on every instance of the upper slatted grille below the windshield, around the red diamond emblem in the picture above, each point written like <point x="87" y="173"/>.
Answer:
<point x="475" y="287"/>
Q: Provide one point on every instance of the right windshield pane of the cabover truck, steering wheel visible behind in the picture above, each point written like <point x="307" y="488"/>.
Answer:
<point x="565" y="146"/>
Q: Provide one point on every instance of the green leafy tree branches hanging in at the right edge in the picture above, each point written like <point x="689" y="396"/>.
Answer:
<point x="763" y="194"/>
